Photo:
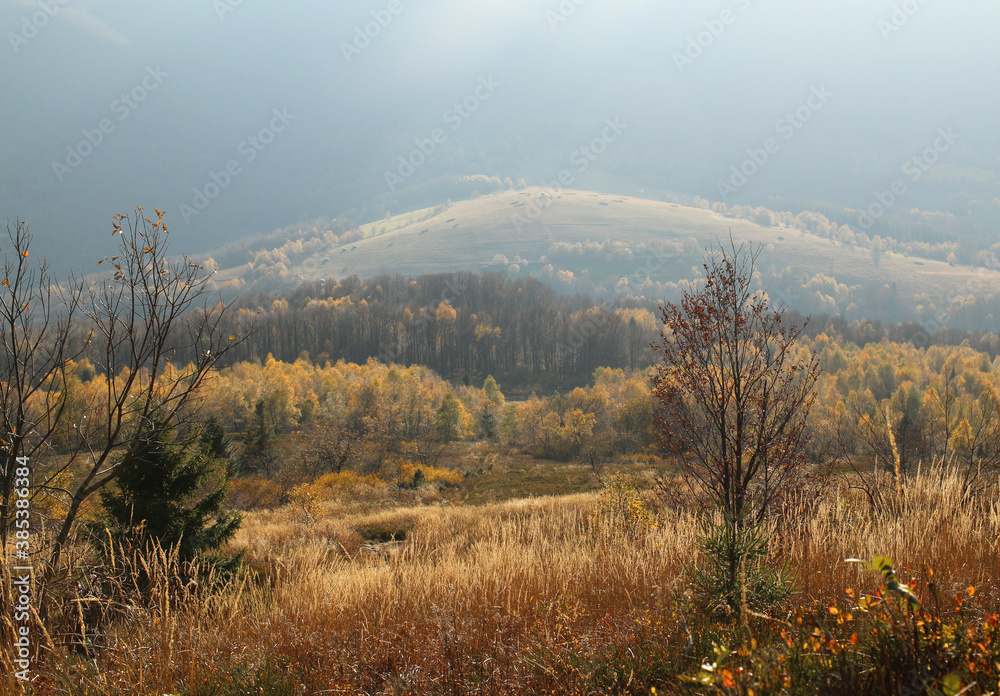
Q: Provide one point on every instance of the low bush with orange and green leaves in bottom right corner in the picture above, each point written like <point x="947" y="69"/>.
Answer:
<point x="882" y="643"/>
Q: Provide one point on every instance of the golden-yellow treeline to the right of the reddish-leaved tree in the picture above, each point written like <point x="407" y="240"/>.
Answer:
<point x="901" y="407"/>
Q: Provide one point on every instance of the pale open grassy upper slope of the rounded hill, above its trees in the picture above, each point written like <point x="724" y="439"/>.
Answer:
<point x="467" y="235"/>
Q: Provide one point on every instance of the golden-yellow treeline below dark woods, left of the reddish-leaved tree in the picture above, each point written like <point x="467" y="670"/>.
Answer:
<point x="281" y="424"/>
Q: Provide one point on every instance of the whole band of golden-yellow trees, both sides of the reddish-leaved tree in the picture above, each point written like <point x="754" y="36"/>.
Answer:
<point x="888" y="401"/>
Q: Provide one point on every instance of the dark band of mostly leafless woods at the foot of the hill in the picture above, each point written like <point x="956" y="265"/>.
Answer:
<point x="459" y="324"/>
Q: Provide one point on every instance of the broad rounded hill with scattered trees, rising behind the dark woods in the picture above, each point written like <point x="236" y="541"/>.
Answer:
<point x="595" y="242"/>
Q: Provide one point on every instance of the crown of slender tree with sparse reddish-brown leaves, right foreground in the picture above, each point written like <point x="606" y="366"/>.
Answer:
<point x="734" y="390"/>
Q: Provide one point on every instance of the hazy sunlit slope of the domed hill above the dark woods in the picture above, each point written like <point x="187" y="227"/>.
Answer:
<point x="515" y="231"/>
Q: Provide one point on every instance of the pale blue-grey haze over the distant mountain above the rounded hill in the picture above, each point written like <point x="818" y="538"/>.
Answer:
<point x="201" y="78"/>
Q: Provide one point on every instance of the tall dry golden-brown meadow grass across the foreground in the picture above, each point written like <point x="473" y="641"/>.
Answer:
<point x="527" y="596"/>
